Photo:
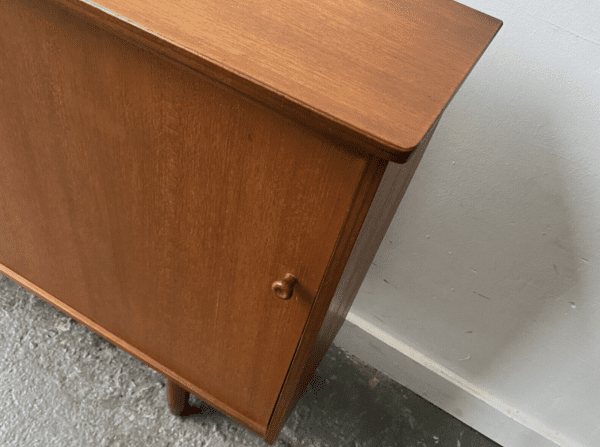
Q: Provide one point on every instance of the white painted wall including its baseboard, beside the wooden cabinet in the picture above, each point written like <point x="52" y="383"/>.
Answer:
<point x="484" y="294"/>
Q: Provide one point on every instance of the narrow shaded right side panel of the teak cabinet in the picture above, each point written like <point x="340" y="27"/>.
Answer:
<point x="372" y="225"/>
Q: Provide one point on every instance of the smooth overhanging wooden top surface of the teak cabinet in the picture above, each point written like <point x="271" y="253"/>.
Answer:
<point x="385" y="70"/>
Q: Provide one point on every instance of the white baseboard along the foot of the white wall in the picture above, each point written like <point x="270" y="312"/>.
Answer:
<point x="468" y="403"/>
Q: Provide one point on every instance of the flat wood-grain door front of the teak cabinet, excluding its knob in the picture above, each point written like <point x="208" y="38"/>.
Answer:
<point x="161" y="205"/>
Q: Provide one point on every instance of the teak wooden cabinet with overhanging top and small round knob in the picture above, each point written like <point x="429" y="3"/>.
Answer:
<point x="205" y="183"/>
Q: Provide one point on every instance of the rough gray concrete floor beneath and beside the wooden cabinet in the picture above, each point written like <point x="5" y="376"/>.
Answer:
<point x="63" y="385"/>
